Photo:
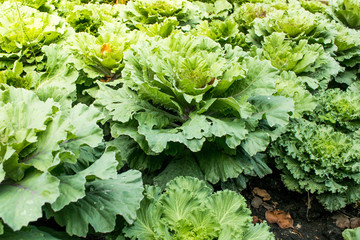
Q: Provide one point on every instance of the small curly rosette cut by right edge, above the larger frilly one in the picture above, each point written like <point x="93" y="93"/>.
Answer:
<point x="339" y="109"/>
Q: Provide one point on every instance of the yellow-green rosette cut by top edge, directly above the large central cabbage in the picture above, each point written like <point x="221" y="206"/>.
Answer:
<point x="156" y="11"/>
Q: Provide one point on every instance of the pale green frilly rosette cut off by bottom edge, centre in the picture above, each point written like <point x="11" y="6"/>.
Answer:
<point x="188" y="209"/>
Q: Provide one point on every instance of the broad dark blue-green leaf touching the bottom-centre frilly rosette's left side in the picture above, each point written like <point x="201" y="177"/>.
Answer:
<point x="104" y="200"/>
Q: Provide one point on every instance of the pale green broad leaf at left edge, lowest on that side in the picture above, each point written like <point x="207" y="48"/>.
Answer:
<point x="21" y="202"/>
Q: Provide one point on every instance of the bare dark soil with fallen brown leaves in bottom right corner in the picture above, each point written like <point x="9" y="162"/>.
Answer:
<point x="314" y="223"/>
